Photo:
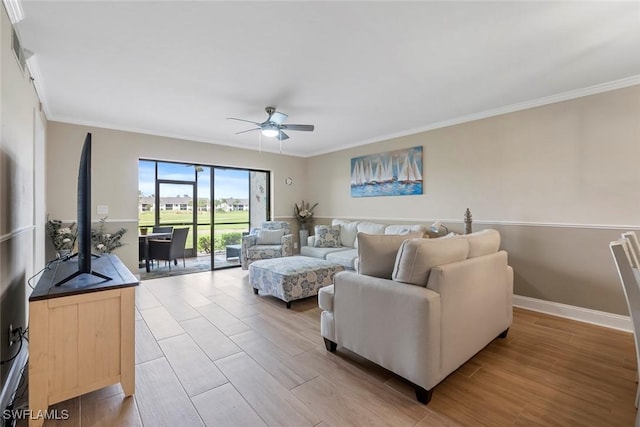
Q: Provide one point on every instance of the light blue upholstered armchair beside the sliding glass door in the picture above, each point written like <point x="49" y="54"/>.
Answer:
<point x="272" y="240"/>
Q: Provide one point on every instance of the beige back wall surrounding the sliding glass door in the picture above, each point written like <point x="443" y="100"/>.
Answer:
<point x="115" y="157"/>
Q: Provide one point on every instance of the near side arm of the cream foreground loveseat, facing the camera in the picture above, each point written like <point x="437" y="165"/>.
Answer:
<point x="376" y="317"/>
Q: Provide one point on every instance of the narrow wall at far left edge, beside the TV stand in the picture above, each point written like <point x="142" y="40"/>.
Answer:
<point x="18" y="109"/>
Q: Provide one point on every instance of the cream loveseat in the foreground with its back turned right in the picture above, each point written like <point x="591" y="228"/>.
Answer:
<point x="444" y="301"/>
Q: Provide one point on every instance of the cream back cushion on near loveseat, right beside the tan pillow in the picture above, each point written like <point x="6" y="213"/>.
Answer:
<point x="416" y="257"/>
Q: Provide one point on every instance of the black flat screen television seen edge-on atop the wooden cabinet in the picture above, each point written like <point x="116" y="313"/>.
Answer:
<point x="84" y="216"/>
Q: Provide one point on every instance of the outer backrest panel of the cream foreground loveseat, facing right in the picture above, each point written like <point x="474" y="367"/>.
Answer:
<point x="476" y="297"/>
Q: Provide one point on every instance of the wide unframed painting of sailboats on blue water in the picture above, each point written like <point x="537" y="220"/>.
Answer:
<point x="394" y="173"/>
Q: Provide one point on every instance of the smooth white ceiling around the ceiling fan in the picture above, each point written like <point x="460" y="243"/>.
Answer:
<point x="359" y="71"/>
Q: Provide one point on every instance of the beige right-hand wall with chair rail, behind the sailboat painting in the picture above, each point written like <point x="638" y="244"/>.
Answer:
<point x="567" y="171"/>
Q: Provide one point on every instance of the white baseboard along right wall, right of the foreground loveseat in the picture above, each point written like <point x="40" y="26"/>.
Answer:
<point x="595" y="317"/>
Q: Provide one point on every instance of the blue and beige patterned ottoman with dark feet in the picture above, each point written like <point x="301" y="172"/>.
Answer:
<point x="291" y="278"/>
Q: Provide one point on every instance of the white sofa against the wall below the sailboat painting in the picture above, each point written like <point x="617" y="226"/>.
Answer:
<point x="347" y="253"/>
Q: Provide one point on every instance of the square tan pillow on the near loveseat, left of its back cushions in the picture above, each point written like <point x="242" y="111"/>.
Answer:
<point x="377" y="253"/>
